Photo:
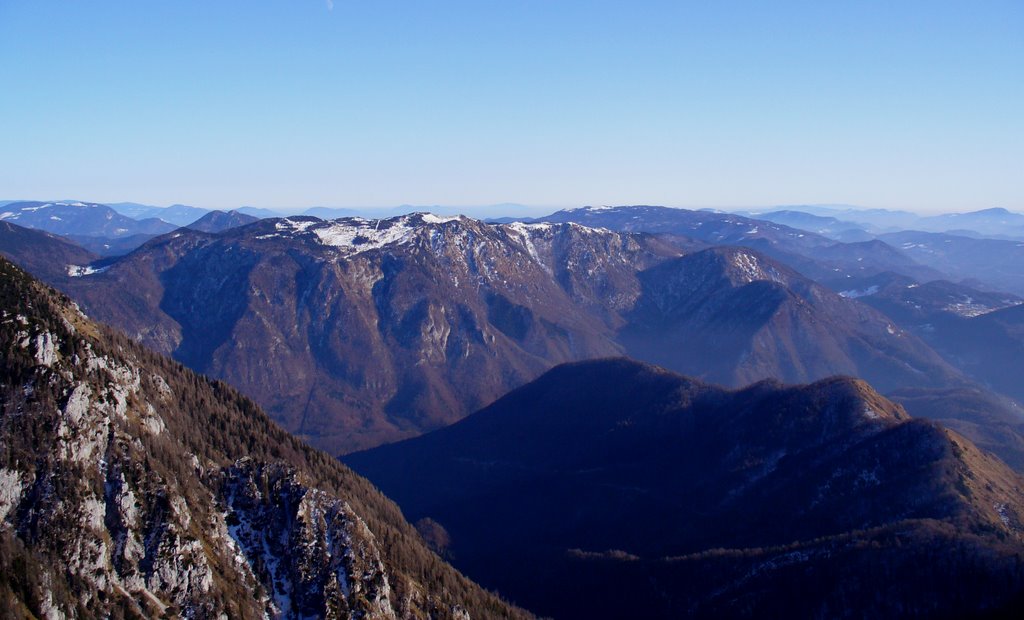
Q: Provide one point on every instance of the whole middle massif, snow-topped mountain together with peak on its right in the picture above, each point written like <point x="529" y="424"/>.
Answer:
<point x="356" y="333"/>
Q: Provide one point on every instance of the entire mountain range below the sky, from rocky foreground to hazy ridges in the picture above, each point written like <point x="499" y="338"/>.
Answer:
<point x="769" y="482"/>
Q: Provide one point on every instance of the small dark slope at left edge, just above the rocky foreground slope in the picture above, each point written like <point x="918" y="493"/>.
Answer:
<point x="45" y="255"/>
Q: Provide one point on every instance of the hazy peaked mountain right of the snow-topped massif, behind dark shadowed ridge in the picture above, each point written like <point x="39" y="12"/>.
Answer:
<point x="763" y="320"/>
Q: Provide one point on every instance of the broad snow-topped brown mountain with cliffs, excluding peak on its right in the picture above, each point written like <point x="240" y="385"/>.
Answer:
<point x="357" y="333"/>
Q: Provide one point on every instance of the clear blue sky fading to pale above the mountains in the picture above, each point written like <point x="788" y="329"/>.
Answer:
<point x="558" y="103"/>
